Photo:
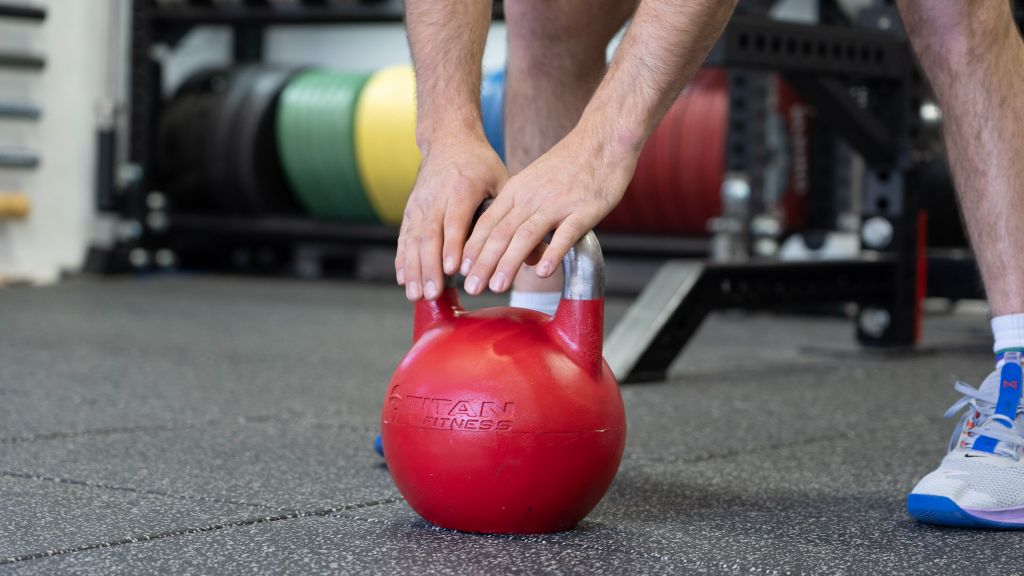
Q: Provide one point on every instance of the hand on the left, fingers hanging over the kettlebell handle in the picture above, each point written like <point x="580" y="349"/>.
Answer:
<point x="457" y="175"/>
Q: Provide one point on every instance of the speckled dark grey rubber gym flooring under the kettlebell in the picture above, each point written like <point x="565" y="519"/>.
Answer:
<point x="212" y="426"/>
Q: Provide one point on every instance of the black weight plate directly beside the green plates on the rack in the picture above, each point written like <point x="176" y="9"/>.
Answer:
<point x="258" y="164"/>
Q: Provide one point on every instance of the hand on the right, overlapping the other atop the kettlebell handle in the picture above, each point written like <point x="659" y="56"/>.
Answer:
<point x="569" y="190"/>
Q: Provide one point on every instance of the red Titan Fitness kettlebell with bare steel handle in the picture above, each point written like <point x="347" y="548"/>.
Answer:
<point x="507" y="421"/>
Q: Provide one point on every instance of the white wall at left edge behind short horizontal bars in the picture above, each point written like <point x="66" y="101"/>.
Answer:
<point x="55" y="235"/>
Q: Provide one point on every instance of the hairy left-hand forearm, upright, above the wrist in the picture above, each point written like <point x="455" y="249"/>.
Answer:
<point x="447" y="38"/>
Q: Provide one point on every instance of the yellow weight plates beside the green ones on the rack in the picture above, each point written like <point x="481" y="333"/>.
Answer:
<point x="386" y="141"/>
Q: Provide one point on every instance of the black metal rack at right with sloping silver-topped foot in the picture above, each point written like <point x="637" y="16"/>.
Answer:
<point x="866" y="89"/>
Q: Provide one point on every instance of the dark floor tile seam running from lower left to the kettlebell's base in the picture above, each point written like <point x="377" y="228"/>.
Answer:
<point x="253" y="521"/>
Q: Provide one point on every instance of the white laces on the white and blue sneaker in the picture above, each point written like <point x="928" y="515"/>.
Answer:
<point x="982" y="420"/>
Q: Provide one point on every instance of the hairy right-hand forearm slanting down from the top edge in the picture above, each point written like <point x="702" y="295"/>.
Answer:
<point x="665" y="46"/>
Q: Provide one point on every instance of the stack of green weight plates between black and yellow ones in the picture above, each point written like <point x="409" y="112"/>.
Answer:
<point x="316" y="141"/>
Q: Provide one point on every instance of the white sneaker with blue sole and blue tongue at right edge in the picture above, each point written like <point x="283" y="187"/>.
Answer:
<point x="980" y="483"/>
